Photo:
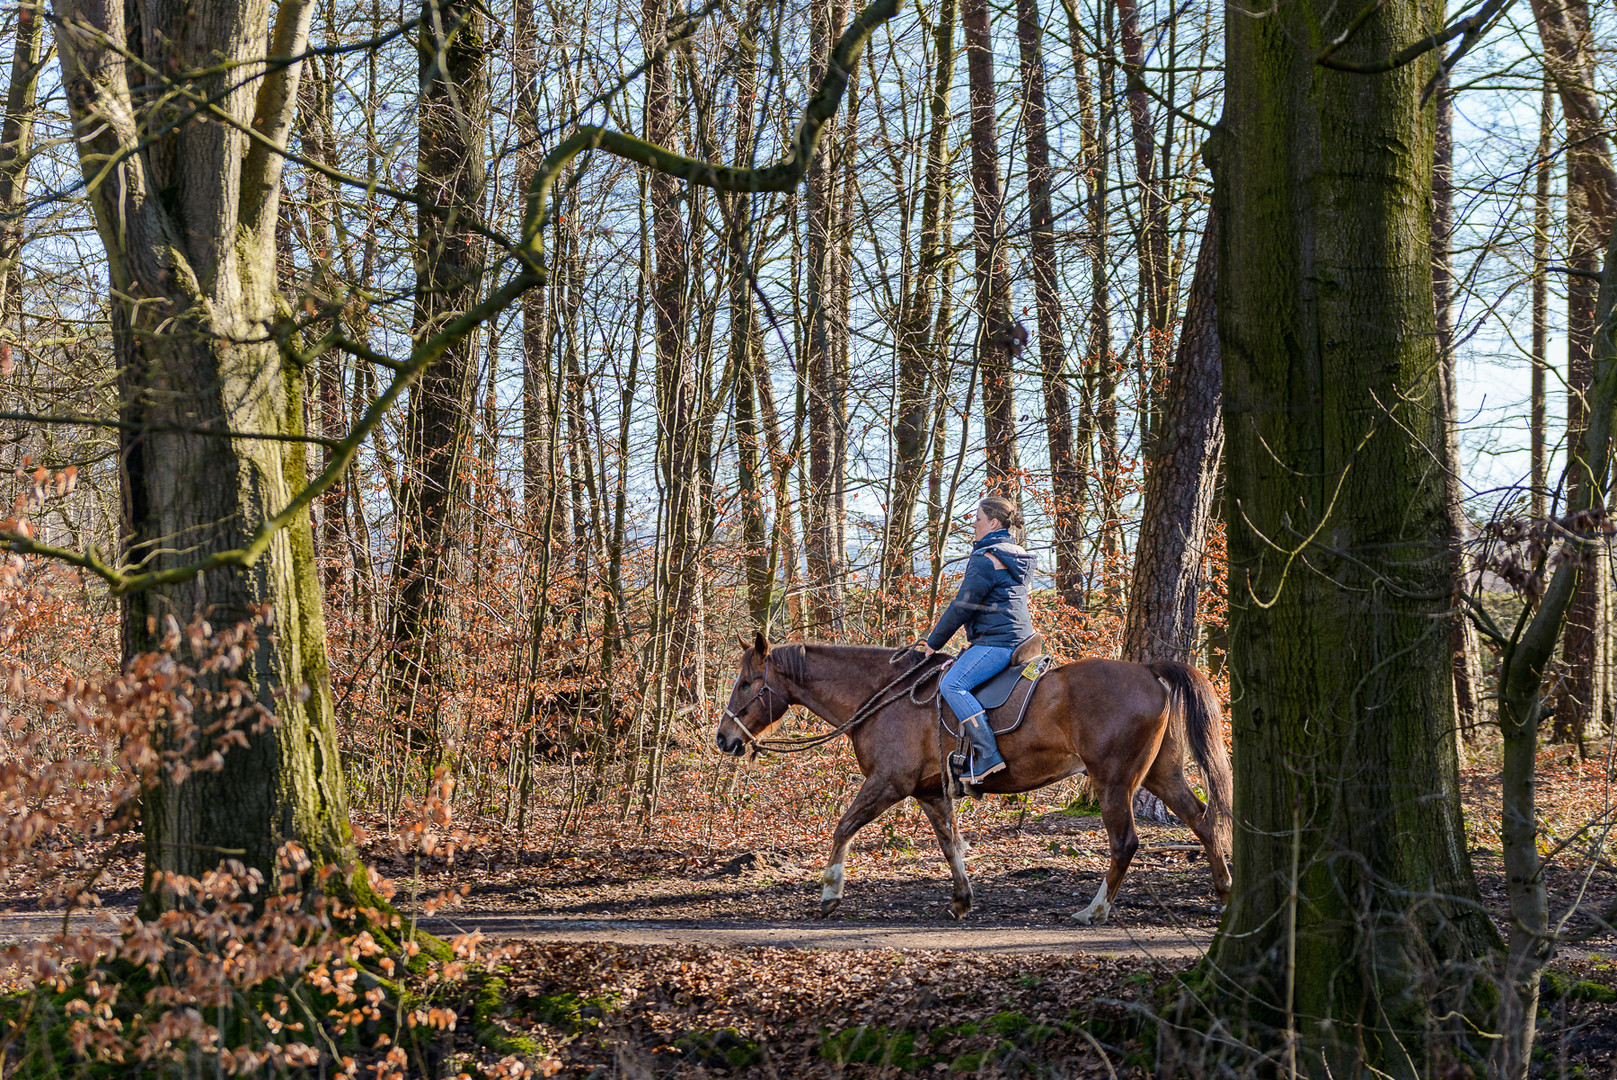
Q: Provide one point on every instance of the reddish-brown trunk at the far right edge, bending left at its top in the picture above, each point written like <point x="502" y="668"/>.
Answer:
<point x="1592" y="206"/>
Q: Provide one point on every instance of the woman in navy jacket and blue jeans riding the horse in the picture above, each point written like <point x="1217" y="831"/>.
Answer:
<point x="992" y="605"/>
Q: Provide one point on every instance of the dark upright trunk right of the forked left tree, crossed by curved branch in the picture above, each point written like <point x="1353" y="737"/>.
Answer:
<point x="450" y="256"/>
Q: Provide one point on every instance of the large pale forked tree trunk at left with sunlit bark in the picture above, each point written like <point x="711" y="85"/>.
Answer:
<point x="196" y="479"/>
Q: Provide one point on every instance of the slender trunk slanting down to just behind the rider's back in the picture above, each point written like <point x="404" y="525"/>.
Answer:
<point x="1066" y="486"/>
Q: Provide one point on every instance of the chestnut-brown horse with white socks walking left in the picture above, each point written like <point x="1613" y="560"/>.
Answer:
<point x="1128" y="725"/>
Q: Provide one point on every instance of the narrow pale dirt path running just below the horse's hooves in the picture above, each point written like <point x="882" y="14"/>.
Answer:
<point x="835" y="935"/>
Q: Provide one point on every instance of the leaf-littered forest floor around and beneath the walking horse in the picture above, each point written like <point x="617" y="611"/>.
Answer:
<point x="698" y="950"/>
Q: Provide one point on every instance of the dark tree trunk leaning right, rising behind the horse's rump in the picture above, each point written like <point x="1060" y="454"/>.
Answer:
<point x="1183" y="473"/>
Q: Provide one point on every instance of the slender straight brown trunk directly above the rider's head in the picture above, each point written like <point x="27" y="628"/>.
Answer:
<point x="997" y="332"/>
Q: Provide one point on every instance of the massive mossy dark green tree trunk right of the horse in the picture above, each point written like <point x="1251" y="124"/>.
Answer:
<point x="1348" y="778"/>
